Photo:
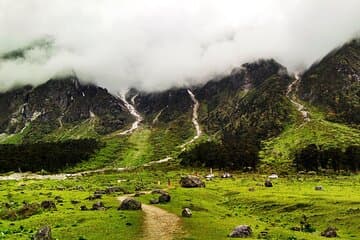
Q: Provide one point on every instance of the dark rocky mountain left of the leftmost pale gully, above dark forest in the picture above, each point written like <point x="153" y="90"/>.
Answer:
<point x="61" y="103"/>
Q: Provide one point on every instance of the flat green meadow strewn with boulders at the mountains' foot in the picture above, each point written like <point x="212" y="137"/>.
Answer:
<point x="217" y="208"/>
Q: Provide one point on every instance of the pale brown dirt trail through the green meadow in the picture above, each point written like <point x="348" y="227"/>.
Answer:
<point x="158" y="223"/>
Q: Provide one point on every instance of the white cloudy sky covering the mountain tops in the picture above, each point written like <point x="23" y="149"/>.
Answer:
<point x="158" y="44"/>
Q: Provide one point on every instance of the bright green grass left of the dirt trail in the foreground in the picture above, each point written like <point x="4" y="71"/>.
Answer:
<point x="68" y="221"/>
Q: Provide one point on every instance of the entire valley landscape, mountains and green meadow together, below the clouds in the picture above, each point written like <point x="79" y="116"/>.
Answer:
<point x="71" y="151"/>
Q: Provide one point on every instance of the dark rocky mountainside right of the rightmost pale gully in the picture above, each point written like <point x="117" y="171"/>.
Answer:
<point x="333" y="84"/>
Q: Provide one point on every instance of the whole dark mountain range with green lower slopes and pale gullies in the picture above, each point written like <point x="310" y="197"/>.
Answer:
<point x="257" y="117"/>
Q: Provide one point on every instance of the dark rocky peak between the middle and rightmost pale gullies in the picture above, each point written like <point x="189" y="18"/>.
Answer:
<point x="250" y="97"/>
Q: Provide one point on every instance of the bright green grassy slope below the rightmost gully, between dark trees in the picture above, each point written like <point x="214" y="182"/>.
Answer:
<point x="278" y="153"/>
